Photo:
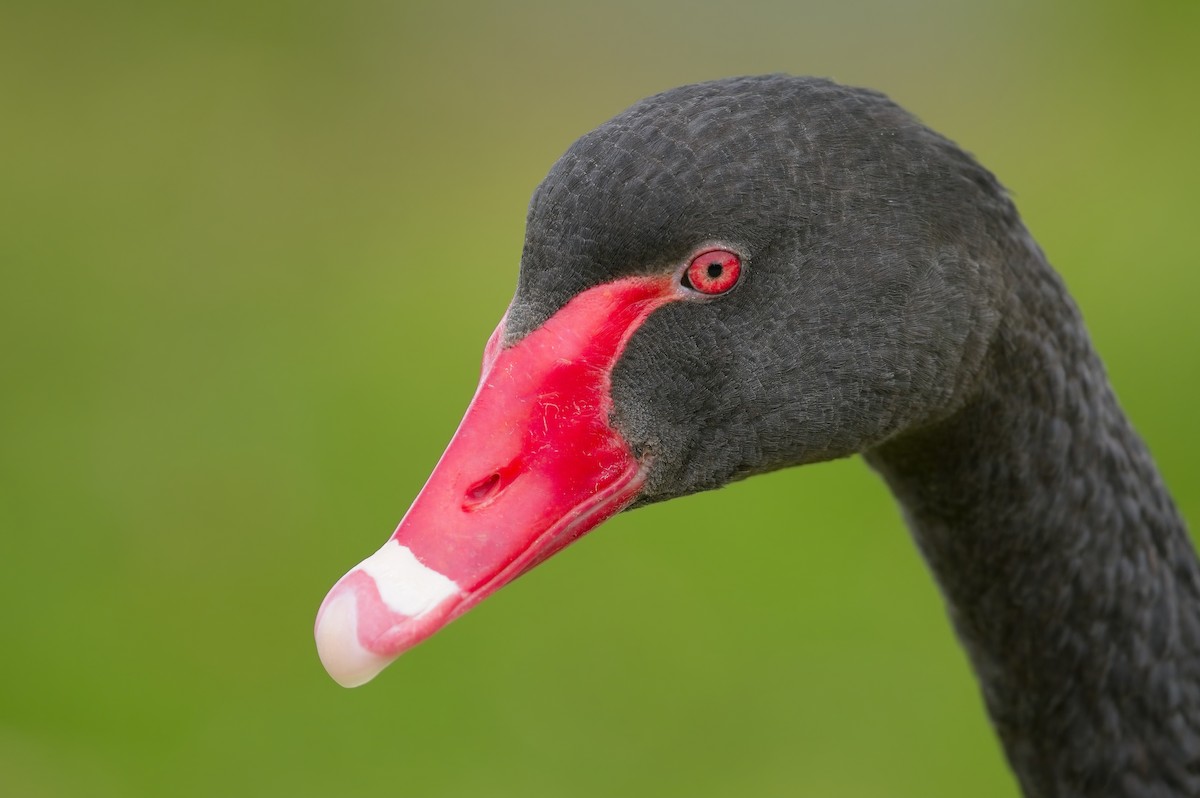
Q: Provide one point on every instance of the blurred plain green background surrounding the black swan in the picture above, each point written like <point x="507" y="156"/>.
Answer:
<point x="251" y="254"/>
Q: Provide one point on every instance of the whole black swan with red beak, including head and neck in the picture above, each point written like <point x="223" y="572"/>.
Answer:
<point x="749" y="274"/>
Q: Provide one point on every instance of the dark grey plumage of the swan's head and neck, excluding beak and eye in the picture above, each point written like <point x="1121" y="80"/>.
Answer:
<point x="893" y="304"/>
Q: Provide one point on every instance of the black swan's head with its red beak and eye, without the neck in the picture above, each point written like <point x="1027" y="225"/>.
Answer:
<point x="727" y="279"/>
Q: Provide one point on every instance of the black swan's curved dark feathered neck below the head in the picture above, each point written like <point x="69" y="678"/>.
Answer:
<point x="1066" y="567"/>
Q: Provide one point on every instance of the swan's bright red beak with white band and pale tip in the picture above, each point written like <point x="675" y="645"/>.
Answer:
<point x="533" y="467"/>
